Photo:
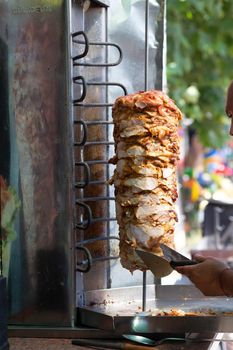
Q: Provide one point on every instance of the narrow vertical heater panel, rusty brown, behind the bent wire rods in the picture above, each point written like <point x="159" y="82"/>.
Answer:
<point x="92" y="21"/>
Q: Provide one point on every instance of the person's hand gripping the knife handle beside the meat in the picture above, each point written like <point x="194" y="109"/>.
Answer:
<point x="205" y="275"/>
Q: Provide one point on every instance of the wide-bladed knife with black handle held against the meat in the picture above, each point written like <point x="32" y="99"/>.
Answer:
<point x="160" y="266"/>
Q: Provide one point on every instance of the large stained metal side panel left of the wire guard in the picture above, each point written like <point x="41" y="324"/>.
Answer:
<point x="40" y="275"/>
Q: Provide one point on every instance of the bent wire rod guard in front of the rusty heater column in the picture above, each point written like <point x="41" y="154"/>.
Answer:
<point x="84" y="216"/>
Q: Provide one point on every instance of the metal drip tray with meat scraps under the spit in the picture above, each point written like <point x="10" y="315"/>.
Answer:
<point x="126" y="316"/>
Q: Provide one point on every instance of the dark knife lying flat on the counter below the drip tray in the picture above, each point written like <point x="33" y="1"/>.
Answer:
<point x="109" y="344"/>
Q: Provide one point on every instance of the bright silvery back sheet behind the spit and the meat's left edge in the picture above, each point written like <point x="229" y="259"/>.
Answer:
<point x="141" y="36"/>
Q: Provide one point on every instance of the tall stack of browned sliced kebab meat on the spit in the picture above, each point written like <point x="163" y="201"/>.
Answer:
<point x="147" y="151"/>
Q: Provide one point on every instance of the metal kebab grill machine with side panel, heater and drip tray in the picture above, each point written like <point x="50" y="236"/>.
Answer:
<point x="66" y="63"/>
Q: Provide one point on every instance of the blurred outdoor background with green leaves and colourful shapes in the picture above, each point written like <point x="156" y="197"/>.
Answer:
<point x="199" y="70"/>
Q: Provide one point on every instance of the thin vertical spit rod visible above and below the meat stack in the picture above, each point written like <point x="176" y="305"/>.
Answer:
<point x="146" y="88"/>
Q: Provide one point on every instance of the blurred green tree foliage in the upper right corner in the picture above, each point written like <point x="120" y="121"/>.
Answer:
<point x="200" y="54"/>
